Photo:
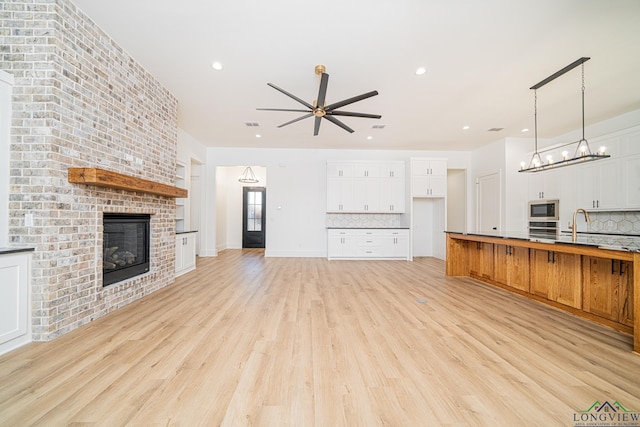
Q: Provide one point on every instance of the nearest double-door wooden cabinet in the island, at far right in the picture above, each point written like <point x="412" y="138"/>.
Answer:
<point x="608" y="288"/>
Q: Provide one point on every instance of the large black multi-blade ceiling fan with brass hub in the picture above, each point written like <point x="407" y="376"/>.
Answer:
<point x="320" y="110"/>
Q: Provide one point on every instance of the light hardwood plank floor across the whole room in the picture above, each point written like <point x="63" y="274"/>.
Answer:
<point x="247" y="340"/>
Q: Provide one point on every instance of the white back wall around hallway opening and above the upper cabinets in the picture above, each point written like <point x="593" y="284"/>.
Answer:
<point x="296" y="194"/>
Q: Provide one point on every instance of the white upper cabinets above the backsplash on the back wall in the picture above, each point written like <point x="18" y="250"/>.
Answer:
<point x="365" y="187"/>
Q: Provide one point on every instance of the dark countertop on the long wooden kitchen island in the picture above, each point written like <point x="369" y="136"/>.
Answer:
<point x="613" y="242"/>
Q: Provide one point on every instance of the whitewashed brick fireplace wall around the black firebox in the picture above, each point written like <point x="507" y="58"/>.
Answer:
<point x="80" y="101"/>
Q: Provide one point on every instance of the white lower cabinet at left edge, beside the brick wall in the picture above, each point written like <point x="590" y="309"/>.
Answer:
<point x="15" y="313"/>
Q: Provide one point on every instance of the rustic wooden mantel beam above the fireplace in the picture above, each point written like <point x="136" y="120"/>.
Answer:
<point x="108" y="179"/>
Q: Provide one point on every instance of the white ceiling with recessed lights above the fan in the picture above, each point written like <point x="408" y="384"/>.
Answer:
<point x="481" y="58"/>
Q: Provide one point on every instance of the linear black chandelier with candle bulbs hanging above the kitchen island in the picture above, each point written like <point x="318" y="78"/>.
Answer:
<point x="582" y="153"/>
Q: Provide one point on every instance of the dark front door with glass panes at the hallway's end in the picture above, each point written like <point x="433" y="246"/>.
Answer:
<point x="253" y="217"/>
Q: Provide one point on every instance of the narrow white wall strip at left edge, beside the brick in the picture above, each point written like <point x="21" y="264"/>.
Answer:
<point x="6" y="87"/>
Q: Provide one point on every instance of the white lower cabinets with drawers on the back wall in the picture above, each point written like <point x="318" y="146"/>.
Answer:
<point x="377" y="243"/>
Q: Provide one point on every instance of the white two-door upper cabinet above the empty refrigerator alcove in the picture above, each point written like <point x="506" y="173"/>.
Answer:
<point x="428" y="177"/>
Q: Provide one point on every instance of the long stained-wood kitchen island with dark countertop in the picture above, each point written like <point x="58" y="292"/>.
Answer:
<point x="596" y="277"/>
